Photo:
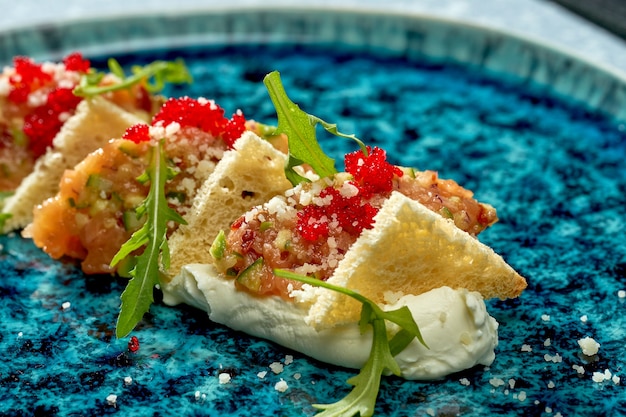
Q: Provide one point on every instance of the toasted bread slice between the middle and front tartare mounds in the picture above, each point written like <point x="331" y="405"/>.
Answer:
<point x="247" y="176"/>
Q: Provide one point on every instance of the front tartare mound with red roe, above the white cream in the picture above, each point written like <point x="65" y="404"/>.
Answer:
<point x="311" y="228"/>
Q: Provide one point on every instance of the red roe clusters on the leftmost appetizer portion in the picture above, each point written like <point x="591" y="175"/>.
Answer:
<point x="43" y="123"/>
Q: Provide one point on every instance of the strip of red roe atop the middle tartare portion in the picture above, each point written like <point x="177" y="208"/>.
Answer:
<point x="203" y="114"/>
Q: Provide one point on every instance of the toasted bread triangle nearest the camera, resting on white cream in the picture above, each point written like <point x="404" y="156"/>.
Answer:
<point x="412" y="250"/>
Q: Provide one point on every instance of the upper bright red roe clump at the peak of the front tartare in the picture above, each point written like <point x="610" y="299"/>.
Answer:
<point x="372" y="173"/>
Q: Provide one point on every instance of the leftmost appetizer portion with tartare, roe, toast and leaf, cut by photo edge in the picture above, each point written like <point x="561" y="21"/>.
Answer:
<point x="53" y="114"/>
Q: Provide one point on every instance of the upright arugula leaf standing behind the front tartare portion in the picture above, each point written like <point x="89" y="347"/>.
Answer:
<point x="299" y="127"/>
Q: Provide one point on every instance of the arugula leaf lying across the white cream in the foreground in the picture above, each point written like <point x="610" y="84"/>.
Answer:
<point x="362" y="399"/>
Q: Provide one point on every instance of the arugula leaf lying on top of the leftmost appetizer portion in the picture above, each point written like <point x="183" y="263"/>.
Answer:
<point x="155" y="74"/>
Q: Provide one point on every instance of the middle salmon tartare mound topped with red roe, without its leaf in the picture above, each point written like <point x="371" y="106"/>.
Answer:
<point x="94" y="212"/>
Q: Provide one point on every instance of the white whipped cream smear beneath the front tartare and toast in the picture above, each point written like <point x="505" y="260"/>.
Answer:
<point x="454" y="323"/>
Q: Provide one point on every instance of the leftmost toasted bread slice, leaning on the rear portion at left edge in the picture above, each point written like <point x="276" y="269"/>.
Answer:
<point x="95" y="122"/>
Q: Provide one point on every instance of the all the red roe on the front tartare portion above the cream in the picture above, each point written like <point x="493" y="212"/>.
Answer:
<point x="372" y="175"/>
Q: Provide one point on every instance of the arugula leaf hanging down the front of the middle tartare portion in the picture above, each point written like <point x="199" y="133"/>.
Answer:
<point x="138" y="295"/>
